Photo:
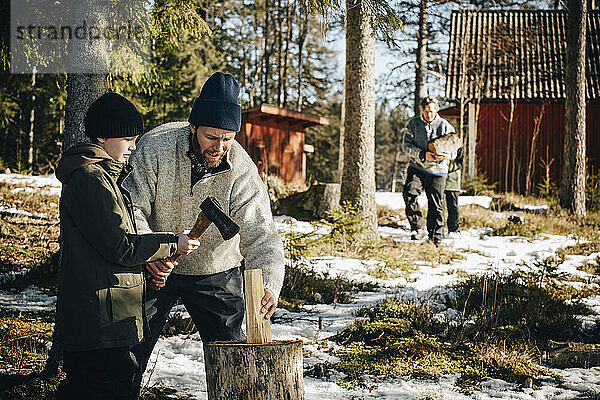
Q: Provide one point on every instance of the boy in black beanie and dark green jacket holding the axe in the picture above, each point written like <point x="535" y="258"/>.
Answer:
<point x="99" y="309"/>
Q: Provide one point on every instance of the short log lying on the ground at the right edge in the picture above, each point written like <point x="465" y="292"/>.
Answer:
<point x="573" y="355"/>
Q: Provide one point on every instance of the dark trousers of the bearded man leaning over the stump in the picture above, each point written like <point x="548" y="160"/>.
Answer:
<point x="215" y="304"/>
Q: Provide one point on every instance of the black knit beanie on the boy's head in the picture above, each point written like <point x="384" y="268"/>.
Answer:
<point x="112" y="116"/>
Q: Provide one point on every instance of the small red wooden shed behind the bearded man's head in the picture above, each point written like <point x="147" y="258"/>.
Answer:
<point x="274" y="138"/>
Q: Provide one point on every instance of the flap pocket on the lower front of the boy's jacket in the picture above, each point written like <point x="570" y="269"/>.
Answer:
<point x="126" y="296"/>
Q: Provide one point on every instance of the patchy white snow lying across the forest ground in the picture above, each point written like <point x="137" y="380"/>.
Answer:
<point x="178" y="361"/>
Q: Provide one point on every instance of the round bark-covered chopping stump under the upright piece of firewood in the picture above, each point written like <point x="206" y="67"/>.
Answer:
<point x="244" y="371"/>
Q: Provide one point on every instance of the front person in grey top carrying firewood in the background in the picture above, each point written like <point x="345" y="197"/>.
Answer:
<point x="426" y="170"/>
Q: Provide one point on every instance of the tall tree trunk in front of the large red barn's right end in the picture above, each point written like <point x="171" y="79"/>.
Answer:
<point x="572" y="188"/>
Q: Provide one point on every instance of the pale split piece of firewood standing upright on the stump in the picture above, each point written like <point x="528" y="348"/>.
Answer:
<point x="258" y="329"/>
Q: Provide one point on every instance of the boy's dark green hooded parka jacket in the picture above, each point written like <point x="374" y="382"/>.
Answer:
<point x="102" y="283"/>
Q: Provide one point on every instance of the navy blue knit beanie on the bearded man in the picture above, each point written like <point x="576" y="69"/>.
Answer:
<point x="217" y="105"/>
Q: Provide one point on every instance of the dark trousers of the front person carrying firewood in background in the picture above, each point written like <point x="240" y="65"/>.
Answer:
<point x="416" y="182"/>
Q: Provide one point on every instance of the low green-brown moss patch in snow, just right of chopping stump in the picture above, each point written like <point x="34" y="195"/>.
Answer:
<point x="402" y="339"/>
